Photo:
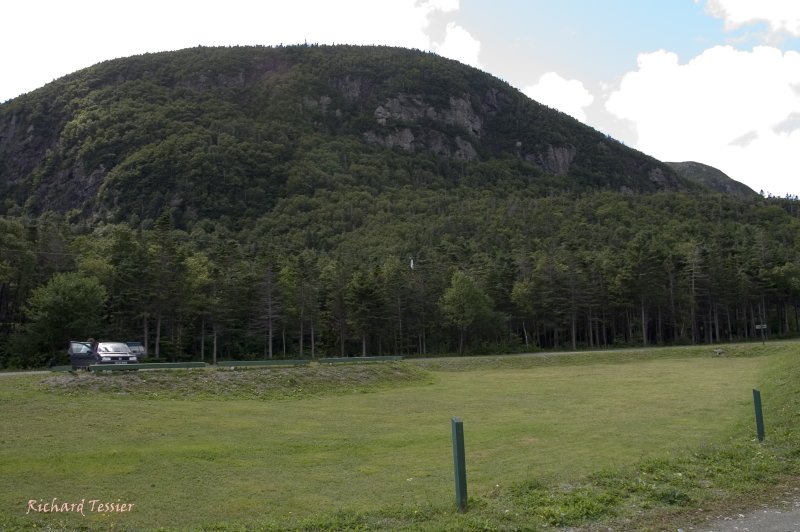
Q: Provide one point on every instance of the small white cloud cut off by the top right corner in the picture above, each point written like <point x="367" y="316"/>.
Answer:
<point x="782" y="16"/>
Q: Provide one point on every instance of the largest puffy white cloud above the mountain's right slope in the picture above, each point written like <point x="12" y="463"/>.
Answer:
<point x="731" y="109"/>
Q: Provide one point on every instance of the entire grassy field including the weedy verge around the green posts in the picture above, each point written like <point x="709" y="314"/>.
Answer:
<point x="551" y="440"/>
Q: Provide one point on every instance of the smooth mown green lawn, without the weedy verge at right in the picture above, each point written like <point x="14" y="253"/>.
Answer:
<point x="189" y="460"/>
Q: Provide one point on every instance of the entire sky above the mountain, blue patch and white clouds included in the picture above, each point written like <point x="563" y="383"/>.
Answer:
<point x="712" y="81"/>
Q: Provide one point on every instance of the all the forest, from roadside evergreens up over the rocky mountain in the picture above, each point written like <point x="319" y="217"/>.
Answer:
<point x="314" y="201"/>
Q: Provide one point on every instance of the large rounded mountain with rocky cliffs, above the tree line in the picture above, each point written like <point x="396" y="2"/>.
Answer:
<point x="208" y="133"/>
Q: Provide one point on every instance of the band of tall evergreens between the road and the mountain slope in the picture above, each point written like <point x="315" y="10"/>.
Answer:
<point x="409" y="272"/>
